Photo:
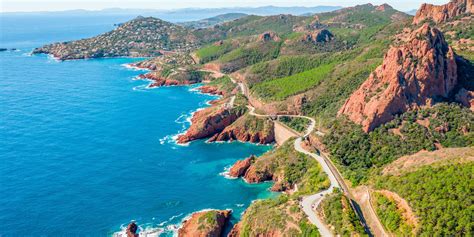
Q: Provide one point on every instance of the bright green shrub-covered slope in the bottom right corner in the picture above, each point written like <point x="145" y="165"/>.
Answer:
<point x="440" y="196"/>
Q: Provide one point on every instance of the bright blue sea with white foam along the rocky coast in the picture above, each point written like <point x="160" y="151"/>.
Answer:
<point x="85" y="148"/>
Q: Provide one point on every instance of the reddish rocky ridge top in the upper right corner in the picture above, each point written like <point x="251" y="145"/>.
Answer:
<point x="443" y="13"/>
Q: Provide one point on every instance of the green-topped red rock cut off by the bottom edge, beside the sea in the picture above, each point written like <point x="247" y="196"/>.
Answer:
<point x="205" y="224"/>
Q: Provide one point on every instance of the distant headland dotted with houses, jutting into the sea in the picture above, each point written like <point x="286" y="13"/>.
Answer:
<point x="140" y="37"/>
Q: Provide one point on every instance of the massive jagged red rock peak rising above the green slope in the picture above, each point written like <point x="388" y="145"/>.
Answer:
<point x="419" y="72"/>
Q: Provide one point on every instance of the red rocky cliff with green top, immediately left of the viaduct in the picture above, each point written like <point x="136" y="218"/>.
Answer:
<point x="247" y="129"/>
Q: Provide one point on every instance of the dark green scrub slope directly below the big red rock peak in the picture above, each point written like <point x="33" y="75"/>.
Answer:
<point x="357" y="152"/>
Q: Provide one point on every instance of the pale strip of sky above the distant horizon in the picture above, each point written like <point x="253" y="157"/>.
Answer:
<point x="57" y="5"/>
